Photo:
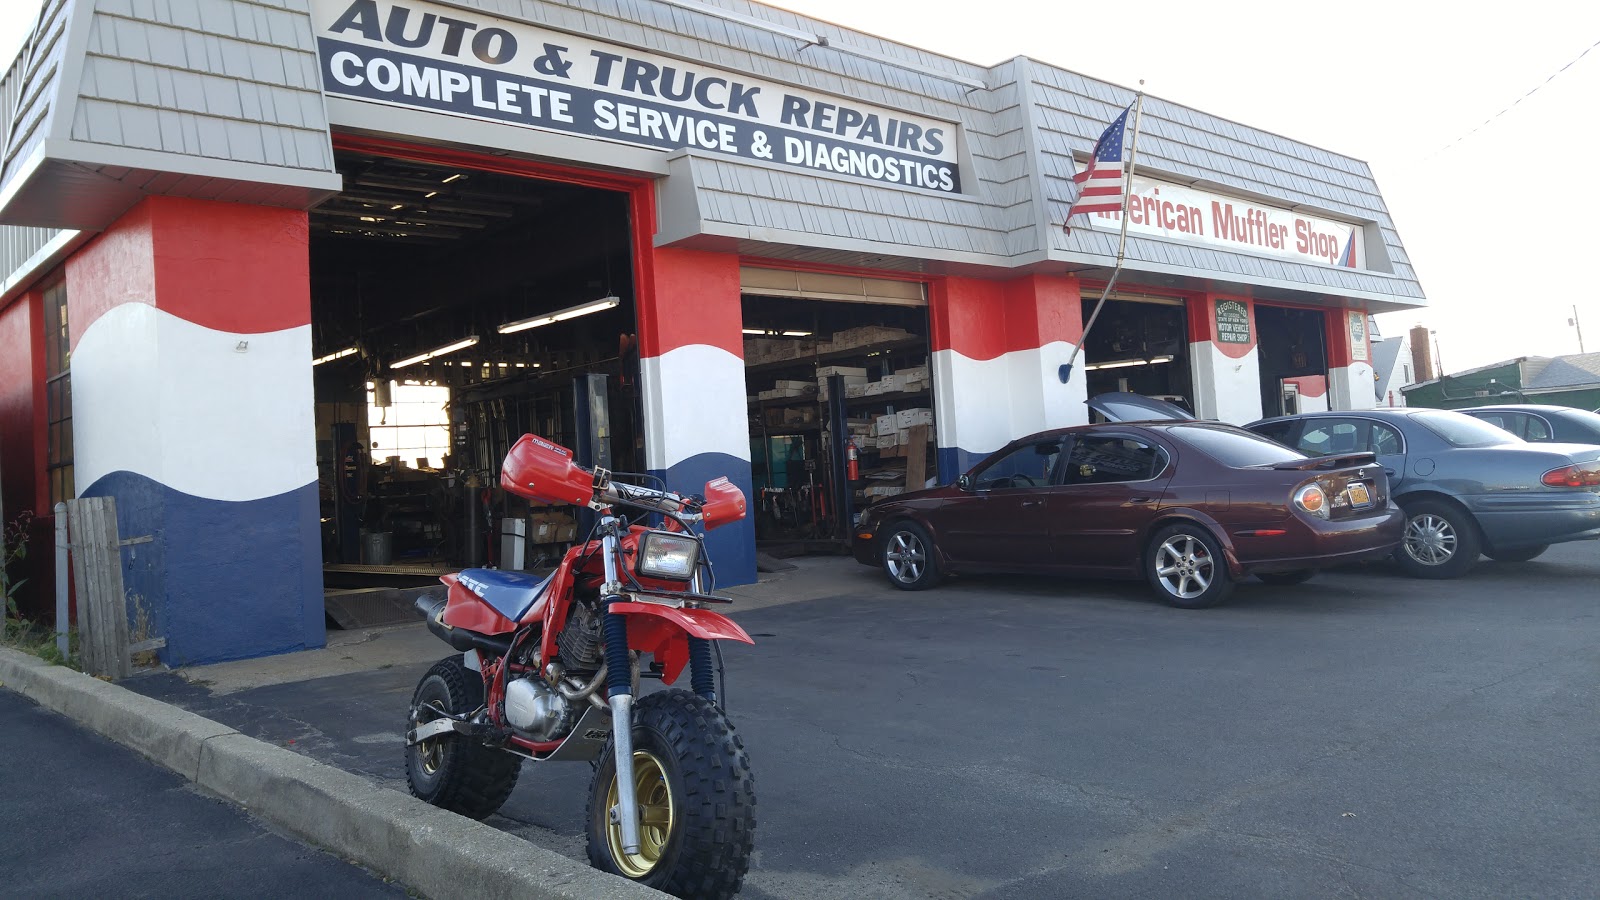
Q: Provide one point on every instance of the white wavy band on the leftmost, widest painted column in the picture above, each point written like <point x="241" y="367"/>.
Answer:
<point x="210" y="414"/>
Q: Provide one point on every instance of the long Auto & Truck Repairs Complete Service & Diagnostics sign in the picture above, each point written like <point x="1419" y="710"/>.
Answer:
<point x="446" y="60"/>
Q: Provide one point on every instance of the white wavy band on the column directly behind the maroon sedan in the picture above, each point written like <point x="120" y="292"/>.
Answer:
<point x="982" y="406"/>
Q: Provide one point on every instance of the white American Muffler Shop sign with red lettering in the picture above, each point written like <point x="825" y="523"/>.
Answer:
<point x="1159" y="209"/>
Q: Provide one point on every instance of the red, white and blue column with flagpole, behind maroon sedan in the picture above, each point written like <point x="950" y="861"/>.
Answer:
<point x="998" y="352"/>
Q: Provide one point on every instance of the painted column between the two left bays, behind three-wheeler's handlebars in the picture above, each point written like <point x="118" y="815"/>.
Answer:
<point x="692" y="379"/>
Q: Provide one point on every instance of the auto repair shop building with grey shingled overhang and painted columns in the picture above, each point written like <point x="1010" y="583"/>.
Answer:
<point x="286" y="278"/>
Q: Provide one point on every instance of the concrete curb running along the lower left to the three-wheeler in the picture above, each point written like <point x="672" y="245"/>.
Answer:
<point x="434" y="853"/>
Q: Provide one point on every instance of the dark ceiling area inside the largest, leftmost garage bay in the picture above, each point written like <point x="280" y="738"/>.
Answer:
<point x="415" y="257"/>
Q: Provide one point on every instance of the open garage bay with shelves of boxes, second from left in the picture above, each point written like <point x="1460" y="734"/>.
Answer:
<point x="841" y="401"/>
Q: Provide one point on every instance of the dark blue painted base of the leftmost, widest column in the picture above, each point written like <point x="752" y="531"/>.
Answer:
<point x="223" y="581"/>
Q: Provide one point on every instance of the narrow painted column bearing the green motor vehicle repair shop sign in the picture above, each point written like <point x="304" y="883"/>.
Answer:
<point x="1226" y="360"/>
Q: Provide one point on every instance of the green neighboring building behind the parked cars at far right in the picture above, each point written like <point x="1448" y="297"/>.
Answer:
<point x="1561" y="382"/>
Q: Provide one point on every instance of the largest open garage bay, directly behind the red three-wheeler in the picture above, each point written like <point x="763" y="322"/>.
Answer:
<point x="455" y="310"/>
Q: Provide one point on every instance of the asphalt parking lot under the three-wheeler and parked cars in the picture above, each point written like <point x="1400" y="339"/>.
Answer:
<point x="1362" y="734"/>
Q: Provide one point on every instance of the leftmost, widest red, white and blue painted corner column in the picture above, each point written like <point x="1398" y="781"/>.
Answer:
<point x="194" y="409"/>
